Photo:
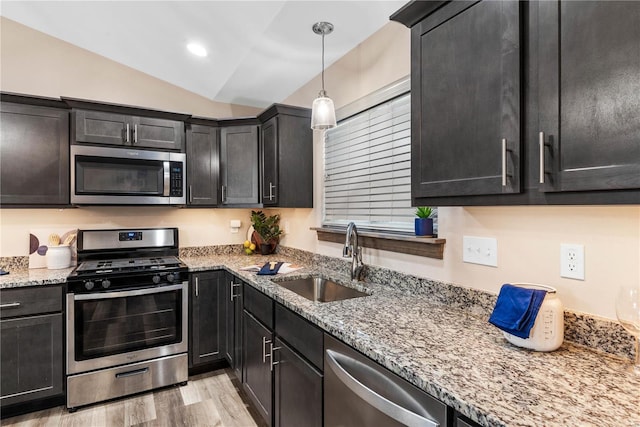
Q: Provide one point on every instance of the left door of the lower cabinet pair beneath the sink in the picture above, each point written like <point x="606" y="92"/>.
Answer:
<point x="257" y="378"/>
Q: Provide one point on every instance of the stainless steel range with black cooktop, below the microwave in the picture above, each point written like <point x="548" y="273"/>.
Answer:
<point x="126" y="314"/>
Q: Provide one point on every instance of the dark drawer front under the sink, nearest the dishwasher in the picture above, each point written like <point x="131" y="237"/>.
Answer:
<point x="300" y="334"/>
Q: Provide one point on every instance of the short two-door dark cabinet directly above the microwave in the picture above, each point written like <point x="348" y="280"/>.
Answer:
<point x="98" y="123"/>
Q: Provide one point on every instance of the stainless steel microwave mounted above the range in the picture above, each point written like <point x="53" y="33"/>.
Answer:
<point x="124" y="176"/>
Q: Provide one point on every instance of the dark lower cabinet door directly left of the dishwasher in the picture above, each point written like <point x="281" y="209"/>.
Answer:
<point x="298" y="390"/>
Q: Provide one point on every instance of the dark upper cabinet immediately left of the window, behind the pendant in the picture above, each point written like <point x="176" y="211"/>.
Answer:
<point x="286" y="144"/>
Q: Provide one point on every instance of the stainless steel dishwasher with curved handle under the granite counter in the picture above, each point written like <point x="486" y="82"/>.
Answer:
<point x="359" y="392"/>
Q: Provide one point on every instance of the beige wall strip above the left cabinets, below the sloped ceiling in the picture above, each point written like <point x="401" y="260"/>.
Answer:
<point x="37" y="64"/>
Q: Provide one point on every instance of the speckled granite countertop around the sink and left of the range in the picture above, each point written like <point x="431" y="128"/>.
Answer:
<point x="451" y="353"/>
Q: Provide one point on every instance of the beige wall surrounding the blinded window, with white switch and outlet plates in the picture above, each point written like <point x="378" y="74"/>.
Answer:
<point x="528" y="237"/>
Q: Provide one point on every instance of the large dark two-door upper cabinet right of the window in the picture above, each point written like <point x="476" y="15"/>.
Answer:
<point x="557" y="81"/>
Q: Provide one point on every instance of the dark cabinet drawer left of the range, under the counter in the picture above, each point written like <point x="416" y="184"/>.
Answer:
<point x="26" y="301"/>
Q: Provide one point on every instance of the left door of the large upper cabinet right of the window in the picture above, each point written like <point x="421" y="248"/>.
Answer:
<point x="465" y="86"/>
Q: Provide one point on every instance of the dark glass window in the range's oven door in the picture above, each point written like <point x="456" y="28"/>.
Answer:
<point x="104" y="327"/>
